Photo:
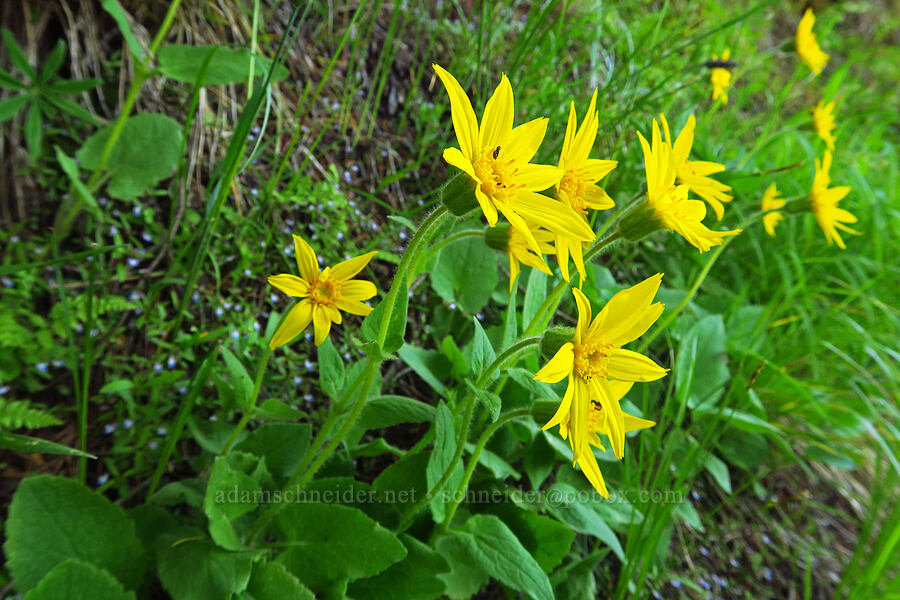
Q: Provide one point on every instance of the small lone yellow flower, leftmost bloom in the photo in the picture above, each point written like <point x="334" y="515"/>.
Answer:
<point x="322" y="292"/>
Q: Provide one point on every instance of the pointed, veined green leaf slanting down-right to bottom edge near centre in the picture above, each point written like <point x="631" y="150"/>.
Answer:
<point x="496" y="550"/>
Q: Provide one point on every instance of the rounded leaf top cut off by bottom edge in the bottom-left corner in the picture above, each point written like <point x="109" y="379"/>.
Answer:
<point x="77" y="580"/>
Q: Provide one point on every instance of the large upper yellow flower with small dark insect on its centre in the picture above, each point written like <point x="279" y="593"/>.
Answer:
<point x="495" y="155"/>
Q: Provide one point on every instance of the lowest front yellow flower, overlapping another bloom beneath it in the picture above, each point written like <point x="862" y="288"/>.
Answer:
<point x="595" y="355"/>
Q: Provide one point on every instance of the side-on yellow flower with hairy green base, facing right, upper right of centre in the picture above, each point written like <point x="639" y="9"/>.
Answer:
<point x="667" y="205"/>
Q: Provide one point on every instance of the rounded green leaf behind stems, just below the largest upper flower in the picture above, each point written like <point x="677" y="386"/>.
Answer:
<point x="466" y="273"/>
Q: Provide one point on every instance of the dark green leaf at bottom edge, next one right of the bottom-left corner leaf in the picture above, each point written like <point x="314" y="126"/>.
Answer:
<point x="193" y="568"/>
